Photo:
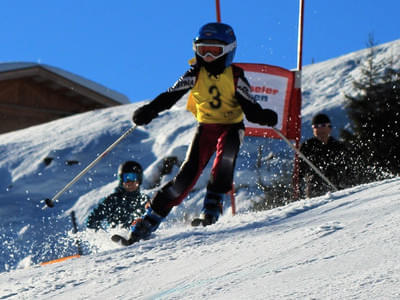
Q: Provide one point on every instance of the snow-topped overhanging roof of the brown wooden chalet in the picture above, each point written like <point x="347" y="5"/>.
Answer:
<point x="57" y="78"/>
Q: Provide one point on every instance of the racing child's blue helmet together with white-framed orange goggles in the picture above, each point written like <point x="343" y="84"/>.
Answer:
<point x="216" y="32"/>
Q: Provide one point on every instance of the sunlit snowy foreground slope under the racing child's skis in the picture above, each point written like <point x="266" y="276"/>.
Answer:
<point x="339" y="246"/>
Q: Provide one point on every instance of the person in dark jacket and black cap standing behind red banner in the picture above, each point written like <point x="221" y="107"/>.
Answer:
<point x="329" y="155"/>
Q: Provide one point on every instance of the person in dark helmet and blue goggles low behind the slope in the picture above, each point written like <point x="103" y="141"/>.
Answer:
<point x="125" y="204"/>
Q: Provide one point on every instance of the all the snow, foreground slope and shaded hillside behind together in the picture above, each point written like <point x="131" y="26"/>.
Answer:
<point x="239" y="256"/>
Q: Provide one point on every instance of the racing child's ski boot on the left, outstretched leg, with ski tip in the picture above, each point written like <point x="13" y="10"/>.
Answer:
<point x="141" y="228"/>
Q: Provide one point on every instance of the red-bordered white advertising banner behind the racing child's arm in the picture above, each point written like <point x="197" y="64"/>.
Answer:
<point x="274" y="88"/>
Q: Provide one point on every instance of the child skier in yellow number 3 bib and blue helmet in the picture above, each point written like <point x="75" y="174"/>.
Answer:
<point x="220" y="94"/>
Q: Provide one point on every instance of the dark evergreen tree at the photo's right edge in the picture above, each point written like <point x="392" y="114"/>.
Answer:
<point x="375" y="120"/>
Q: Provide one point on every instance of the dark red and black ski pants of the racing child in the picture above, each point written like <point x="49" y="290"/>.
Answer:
<point x="222" y="139"/>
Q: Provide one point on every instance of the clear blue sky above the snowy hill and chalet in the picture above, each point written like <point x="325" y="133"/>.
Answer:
<point x="140" y="48"/>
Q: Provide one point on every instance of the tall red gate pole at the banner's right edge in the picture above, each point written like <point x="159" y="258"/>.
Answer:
<point x="296" y="187"/>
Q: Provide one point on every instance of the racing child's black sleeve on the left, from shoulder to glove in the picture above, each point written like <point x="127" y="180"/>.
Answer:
<point x="167" y="99"/>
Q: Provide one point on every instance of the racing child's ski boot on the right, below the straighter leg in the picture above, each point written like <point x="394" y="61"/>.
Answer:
<point x="212" y="208"/>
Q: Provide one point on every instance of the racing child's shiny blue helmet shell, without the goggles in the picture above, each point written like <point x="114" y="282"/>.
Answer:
<point x="220" y="32"/>
